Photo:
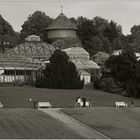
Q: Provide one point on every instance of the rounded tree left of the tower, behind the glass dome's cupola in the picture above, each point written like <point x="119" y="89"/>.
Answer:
<point x="36" y="24"/>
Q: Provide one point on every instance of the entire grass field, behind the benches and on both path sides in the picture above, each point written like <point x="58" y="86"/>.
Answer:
<point x="30" y="123"/>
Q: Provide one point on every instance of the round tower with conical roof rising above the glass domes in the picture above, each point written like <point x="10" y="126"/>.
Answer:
<point x="61" y="28"/>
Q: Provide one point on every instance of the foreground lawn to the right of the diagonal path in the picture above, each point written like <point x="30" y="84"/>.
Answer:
<point x="117" y="123"/>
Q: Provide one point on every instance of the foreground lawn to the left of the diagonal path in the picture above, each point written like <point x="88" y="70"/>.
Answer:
<point x="31" y="124"/>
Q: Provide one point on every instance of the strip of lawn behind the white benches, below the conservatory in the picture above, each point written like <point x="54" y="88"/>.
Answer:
<point x="18" y="97"/>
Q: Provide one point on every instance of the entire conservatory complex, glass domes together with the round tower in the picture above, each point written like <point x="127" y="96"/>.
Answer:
<point x="23" y="62"/>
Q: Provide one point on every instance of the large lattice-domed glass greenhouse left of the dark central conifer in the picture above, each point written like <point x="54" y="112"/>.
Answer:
<point x="20" y="64"/>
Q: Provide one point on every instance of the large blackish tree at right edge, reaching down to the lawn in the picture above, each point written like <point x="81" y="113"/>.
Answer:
<point x="123" y="69"/>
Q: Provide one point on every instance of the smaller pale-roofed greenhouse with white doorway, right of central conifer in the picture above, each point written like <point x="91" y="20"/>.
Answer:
<point x="81" y="58"/>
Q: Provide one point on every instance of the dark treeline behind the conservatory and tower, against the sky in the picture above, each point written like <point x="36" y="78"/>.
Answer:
<point x="97" y="34"/>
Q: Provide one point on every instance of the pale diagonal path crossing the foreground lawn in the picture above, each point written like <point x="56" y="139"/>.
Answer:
<point x="82" y="129"/>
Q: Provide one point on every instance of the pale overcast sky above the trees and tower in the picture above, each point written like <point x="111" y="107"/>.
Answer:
<point x="124" y="12"/>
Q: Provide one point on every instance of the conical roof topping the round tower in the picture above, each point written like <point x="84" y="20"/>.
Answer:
<point x="62" y="22"/>
